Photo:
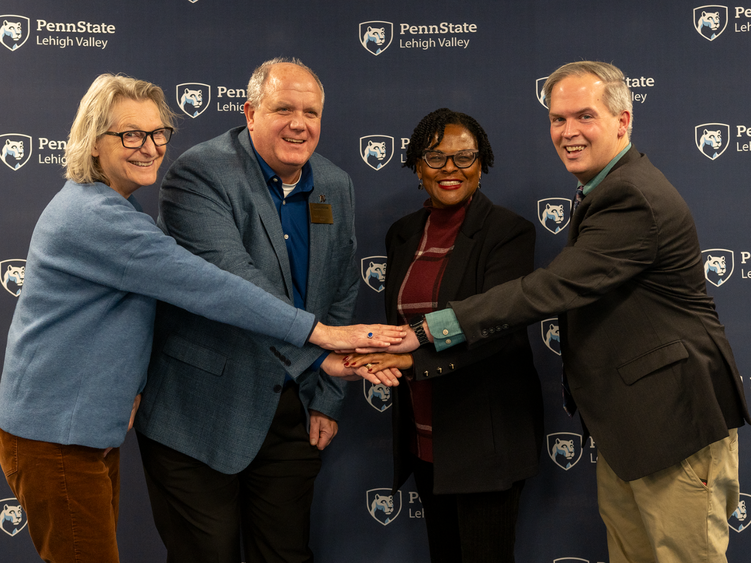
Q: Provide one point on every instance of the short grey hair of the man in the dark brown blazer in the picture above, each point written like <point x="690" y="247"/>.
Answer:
<point x="616" y="97"/>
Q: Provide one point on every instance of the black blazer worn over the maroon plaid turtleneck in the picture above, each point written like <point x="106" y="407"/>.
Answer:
<point x="487" y="403"/>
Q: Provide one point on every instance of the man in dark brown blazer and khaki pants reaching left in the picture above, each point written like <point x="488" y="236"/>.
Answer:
<point x="646" y="358"/>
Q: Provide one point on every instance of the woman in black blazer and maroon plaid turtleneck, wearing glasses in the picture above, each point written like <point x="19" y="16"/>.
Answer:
<point x="467" y="423"/>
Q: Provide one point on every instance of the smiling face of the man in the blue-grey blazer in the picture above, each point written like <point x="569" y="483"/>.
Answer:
<point x="286" y="127"/>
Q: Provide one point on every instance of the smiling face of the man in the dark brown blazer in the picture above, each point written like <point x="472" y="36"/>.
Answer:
<point x="585" y="134"/>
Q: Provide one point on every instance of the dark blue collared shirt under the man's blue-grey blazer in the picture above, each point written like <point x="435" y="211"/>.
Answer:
<point x="293" y="213"/>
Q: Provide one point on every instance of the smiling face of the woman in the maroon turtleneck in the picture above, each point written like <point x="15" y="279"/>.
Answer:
<point x="449" y="185"/>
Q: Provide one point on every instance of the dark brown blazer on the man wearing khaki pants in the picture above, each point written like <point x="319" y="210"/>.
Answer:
<point x="646" y="356"/>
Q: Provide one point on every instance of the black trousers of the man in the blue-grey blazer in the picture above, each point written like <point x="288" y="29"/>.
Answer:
<point x="202" y="515"/>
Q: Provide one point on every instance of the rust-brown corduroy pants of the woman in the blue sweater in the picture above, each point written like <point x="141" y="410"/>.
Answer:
<point x="70" y="495"/>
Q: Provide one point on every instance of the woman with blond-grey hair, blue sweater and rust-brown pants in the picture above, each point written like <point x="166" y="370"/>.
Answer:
<point x="81" y="335"/>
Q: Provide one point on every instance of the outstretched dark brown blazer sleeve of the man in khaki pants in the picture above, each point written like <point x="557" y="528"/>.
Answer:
<point x="616" y="239"/>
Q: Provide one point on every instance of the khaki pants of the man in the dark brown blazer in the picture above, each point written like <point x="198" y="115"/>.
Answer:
<point x="672" y="516"/>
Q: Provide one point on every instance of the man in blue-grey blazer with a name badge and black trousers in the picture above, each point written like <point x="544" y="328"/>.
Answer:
<point x="231" y="422"/>
